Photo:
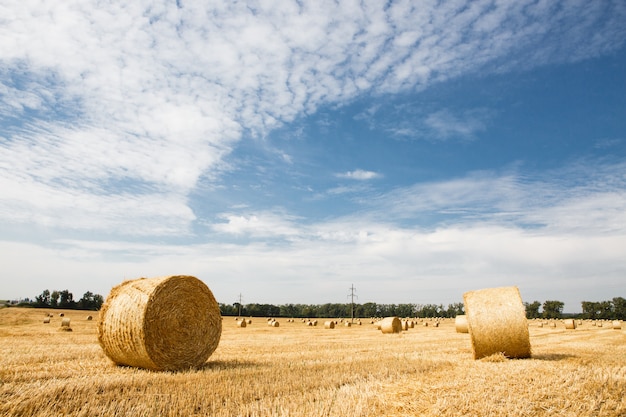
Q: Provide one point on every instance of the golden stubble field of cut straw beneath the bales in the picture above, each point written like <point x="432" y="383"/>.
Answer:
<point x="298" y="370"/>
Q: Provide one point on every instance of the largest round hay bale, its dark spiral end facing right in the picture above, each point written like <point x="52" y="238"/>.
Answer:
<point x="166" y="323"/>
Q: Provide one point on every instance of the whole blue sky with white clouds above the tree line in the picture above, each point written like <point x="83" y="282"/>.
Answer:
<point x="417" y="150"/>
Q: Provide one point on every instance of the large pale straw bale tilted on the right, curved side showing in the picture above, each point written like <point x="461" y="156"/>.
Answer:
<point x="497" y="322"/>
